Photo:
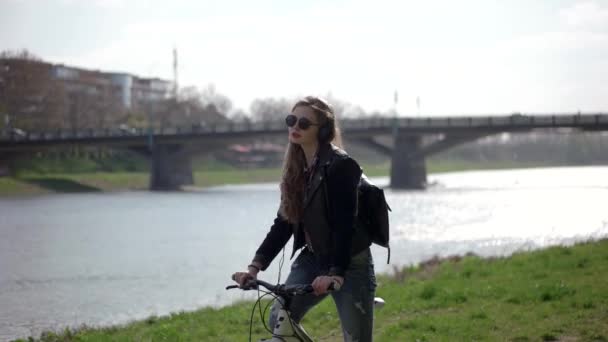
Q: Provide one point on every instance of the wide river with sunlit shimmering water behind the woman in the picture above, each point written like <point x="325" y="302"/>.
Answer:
<point x="108" y="258"/>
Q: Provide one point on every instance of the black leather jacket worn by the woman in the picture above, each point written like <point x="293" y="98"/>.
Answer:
<point x="333" y="234"/>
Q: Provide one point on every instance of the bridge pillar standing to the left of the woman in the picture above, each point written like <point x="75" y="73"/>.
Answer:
<point x="171" y="167"/>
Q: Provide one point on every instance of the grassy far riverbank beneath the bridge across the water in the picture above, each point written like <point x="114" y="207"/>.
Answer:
<point x="33" y="183"/>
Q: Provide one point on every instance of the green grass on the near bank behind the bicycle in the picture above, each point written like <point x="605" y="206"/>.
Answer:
<point x="556" y="294"/>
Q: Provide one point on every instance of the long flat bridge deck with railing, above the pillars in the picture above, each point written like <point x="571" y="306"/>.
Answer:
<point x="364" y="126"/>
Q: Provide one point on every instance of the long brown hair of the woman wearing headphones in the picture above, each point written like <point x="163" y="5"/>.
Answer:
<point x="294" y="162"/>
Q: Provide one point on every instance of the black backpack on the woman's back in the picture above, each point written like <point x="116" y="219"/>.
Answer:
<point x="372" y="212"/>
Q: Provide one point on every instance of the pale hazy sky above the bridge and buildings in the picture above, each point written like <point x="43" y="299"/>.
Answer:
<point x="463" y="57"/>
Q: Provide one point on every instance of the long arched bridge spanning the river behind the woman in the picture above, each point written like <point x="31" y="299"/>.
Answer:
<point x="410" y="141"/>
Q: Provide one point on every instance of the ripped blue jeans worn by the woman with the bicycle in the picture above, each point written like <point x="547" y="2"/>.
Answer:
<point x="354" y="301"/>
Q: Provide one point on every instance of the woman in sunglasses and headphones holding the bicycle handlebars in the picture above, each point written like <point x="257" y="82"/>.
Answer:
<point x="318" y="206"/>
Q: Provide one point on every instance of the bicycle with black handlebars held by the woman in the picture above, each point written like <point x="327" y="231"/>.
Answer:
<point x="286" y="330"/>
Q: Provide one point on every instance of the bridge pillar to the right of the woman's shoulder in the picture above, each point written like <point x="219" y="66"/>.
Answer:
<point x="408" y="167"/>
